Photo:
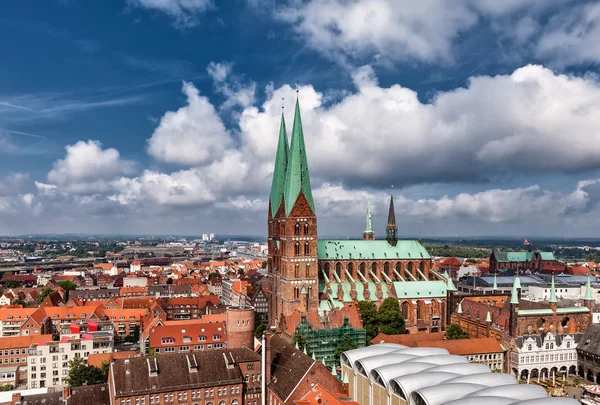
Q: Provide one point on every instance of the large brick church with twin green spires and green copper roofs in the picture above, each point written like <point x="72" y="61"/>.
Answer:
<point x="312" y="276"/>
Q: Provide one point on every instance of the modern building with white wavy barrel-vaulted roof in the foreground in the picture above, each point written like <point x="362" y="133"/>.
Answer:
<point x="391" y="374"/>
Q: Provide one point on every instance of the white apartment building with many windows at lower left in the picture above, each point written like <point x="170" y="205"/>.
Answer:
<point x="49" y="361"/>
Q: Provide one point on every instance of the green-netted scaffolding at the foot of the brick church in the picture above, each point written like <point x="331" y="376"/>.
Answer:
<point x="322" y="343"/>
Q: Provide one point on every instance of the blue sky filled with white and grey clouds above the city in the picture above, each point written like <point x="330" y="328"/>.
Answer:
<point x="162" y="116"/>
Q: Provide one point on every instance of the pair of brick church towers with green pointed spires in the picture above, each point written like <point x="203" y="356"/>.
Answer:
<point x="293" y="261"/>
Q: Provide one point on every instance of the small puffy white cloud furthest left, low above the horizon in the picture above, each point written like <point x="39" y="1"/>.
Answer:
<point x="86" y="168"/>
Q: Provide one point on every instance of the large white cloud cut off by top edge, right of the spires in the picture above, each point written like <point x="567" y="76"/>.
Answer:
<point x="397" y="29"/>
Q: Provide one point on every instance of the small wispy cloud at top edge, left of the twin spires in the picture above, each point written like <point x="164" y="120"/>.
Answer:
<point x="185" y="13"/>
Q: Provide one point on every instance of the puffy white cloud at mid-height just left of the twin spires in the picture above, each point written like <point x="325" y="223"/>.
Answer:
<point x="192" y="135"/>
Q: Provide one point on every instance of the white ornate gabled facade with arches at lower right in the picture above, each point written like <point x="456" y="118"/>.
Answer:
<point x="545" y="356"/>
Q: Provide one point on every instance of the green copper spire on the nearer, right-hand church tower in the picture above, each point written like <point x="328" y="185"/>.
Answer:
<point x="297" y="179"/>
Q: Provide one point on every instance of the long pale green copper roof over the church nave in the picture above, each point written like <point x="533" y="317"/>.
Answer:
<point x="371" y="250"/>
